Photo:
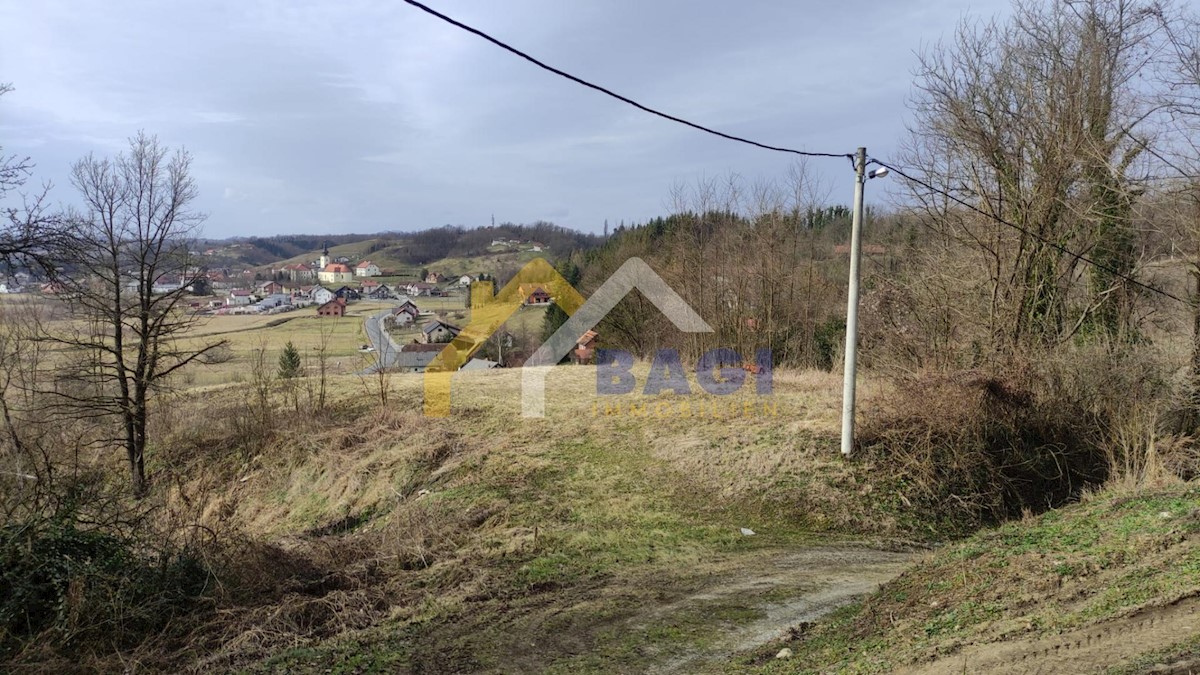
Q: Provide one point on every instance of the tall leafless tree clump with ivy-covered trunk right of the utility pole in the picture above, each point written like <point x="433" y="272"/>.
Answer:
<point x="1040" y="121"/>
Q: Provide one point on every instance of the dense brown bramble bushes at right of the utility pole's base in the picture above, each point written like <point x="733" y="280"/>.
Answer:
<point x="974" y="447"/>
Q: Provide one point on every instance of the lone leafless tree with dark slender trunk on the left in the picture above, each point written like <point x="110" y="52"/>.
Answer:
<point x="128" y="282"/>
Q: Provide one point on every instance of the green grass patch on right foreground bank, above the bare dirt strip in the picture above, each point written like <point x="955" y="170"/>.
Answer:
<point x="1066" y="569"/>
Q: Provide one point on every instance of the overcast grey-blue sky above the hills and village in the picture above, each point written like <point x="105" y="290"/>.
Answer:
<point x="365" y="116"/>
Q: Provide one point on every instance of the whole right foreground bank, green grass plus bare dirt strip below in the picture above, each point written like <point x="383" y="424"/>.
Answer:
<point x="1112" y="586"/>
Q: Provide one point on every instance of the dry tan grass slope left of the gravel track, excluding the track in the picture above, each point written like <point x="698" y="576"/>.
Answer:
<point x="333" y="525"/>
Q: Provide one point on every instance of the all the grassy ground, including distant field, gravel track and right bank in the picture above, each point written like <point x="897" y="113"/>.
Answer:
<point x="609" y="536"/>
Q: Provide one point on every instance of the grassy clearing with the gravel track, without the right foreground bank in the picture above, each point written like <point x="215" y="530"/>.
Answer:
<point x="459" y="540"/>
